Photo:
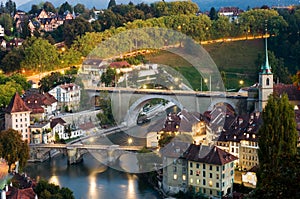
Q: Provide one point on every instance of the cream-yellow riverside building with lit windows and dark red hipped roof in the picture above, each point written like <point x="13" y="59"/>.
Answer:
<point x="210" y="170"/>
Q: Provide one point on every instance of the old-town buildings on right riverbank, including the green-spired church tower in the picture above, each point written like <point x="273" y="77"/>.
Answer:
<point x="222" y="141"/>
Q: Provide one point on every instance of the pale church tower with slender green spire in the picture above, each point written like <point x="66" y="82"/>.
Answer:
<point x="265" y="81"/>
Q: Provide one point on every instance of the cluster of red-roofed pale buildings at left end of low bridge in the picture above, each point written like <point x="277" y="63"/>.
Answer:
<point x="36" y="115"/>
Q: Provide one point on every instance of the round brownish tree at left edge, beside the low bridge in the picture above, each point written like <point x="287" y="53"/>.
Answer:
<point x="13" y="148"/>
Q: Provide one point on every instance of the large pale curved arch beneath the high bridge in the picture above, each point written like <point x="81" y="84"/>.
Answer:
<point x="133" y="111"/>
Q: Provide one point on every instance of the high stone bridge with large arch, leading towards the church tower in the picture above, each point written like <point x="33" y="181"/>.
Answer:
<point x="127" y="102"/>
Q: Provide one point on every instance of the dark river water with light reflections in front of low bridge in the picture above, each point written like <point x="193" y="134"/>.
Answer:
<point x="91" y="179"/>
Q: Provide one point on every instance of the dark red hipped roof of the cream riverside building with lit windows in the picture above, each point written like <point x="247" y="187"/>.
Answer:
<point x="208" y="155"/>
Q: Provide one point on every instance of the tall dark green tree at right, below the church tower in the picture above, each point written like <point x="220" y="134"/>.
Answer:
<point x="278" y="170"/>
